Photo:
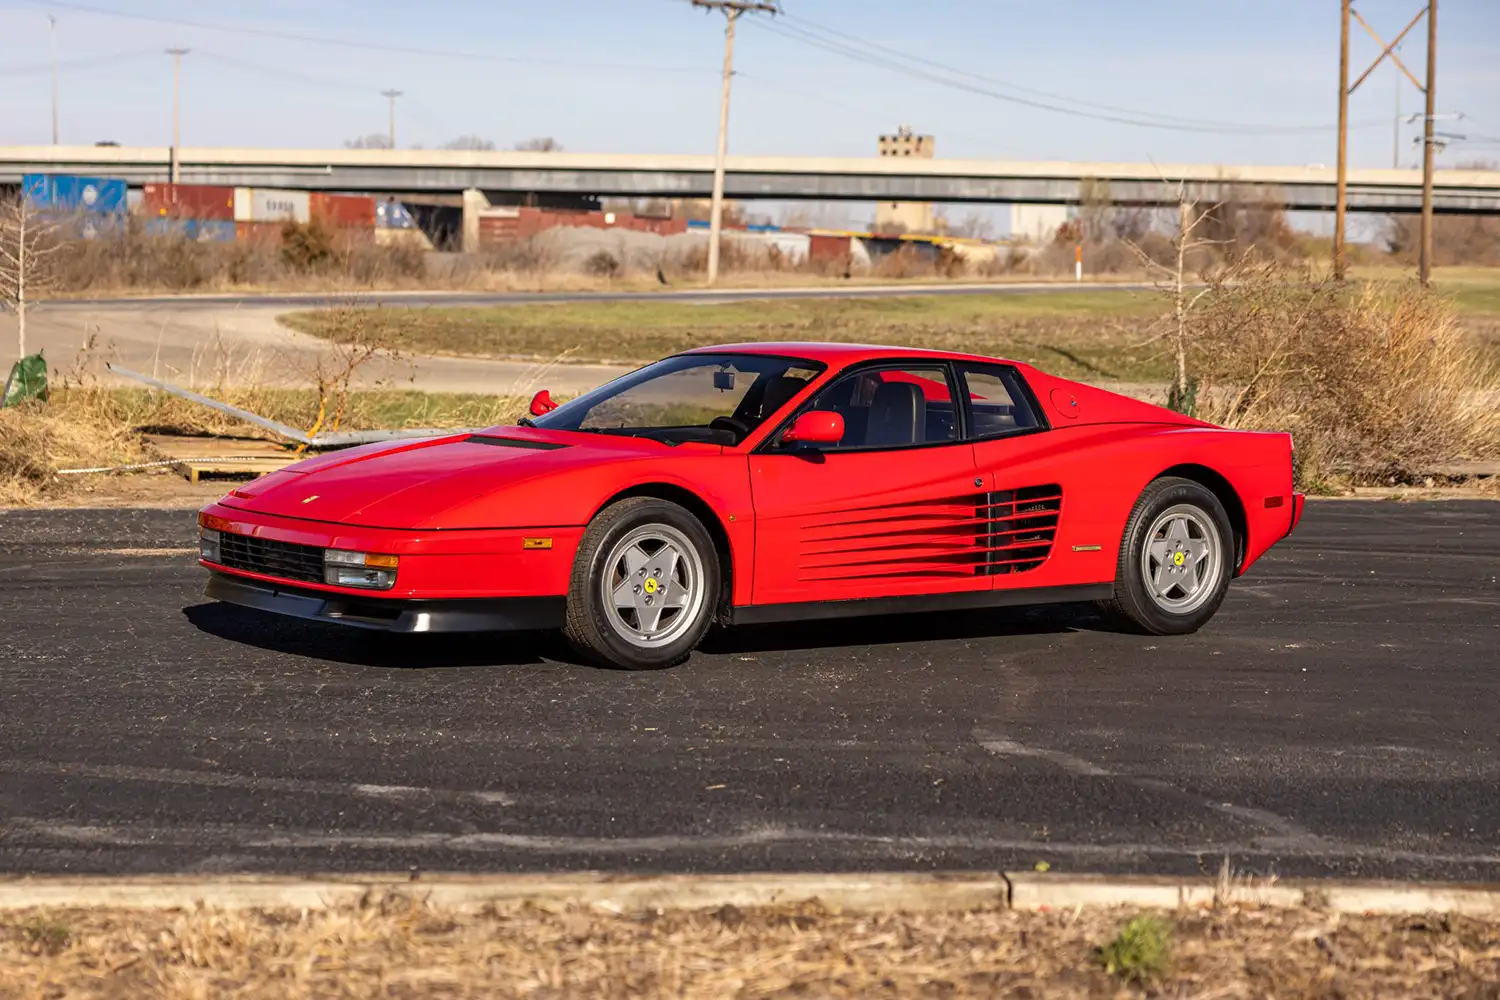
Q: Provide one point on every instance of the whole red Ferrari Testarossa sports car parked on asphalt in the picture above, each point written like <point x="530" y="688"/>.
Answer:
<point x="761" y="484"/>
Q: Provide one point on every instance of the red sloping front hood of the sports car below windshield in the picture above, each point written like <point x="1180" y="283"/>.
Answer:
<point x="413" y="484"/>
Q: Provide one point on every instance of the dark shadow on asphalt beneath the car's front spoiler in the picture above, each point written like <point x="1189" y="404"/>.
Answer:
<point x="367" y="648"/>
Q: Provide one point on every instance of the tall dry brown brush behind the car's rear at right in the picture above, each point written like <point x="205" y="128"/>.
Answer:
<point x="1378" y="383"/>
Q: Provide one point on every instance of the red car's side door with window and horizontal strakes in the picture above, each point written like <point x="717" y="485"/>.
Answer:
<point x="887" y="512"/>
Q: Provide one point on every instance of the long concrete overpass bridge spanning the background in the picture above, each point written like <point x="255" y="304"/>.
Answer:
<point x="503" y="175"/>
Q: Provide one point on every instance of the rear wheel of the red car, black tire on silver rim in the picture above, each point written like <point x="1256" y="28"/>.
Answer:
<point x="1136" y="605"/>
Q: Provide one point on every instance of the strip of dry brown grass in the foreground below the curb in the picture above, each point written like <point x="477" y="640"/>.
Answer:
<point x="397" y="948"/>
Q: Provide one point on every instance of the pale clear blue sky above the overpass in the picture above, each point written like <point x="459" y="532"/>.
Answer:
<point x="641" y="76"/>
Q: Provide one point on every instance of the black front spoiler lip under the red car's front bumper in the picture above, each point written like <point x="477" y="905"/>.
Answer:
<point x="514" y="614"/>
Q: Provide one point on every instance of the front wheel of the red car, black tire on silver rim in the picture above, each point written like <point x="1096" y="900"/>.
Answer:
<point x="605" y="635"/>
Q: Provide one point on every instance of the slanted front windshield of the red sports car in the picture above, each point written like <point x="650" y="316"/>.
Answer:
<point x="709" y="398"/>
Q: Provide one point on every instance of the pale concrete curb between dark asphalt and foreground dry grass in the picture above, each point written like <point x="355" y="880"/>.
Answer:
<point x="880" y="891"/>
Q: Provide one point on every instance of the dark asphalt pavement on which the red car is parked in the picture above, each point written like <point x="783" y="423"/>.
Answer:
<point x="1339" y="717"/>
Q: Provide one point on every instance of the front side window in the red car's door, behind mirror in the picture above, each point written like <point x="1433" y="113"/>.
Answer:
<point x="892" y="409"/>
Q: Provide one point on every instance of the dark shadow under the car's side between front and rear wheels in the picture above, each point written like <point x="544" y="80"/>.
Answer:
<point x="899" y="629"/>
